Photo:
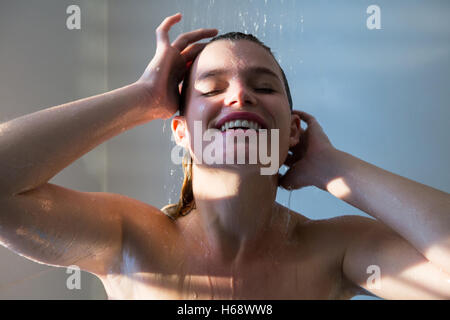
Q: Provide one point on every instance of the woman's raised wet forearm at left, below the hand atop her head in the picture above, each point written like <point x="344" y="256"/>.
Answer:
<point x="36" y="146"/>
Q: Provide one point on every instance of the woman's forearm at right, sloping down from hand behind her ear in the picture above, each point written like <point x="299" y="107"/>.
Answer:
<point x="419" y="213"/>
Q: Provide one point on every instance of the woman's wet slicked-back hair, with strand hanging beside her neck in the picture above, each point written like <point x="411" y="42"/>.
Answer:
<point x="186" y="202"/>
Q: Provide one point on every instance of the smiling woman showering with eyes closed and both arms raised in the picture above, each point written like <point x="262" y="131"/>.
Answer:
<point x="227" y="238"/>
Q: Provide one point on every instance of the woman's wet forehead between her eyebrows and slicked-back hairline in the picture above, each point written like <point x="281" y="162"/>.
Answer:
<point x="236" y="56"/>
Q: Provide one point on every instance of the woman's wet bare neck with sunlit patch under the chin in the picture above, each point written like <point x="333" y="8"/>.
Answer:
<point x="236" y="209"/>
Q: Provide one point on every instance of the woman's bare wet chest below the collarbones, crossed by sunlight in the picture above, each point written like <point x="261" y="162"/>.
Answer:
<point x="266" y="280"/>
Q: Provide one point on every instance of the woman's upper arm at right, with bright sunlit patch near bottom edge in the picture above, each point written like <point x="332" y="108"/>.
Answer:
<point x="380" y="261"/>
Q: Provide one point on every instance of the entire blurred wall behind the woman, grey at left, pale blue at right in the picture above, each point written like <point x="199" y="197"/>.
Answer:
<point x="381" y="95"/>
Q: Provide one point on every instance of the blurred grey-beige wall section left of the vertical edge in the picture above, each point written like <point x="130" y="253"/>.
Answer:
<point x="44" y="64"/>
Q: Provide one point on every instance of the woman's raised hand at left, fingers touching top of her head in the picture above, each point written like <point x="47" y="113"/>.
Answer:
<point x="168" y="67"/>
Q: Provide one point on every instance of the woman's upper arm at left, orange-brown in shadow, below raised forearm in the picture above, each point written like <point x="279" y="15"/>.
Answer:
<point x="62" y="227"/>
